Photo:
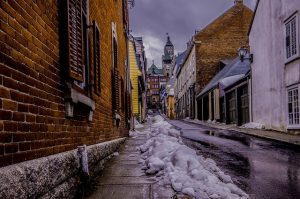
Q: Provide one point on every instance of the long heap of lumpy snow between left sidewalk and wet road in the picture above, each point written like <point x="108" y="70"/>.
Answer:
<point x="173" y="163"/>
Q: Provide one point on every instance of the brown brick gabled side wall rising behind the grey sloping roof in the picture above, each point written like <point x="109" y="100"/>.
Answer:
<point x="220" y="40"/>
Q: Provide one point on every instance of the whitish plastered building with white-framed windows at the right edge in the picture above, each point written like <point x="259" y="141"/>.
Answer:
<point x="274" y="41"/>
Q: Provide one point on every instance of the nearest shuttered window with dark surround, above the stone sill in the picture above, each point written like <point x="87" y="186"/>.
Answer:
<point x="76" y="40"/>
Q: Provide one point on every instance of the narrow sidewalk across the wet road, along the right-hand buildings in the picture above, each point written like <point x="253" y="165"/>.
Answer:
<point x="268" y="134"/>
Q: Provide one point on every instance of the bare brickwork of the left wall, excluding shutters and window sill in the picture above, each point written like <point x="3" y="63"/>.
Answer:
<point x="32" y="111"/>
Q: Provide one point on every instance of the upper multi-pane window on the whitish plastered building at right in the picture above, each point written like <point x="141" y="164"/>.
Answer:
<point x="291" y="38"/>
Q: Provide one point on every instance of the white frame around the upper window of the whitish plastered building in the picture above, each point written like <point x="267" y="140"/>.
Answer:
<point x="287" y="21"/>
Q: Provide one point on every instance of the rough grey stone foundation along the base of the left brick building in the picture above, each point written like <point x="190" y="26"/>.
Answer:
<point x="55" y="176"/>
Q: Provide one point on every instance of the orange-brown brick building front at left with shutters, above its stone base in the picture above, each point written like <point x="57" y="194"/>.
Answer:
<point x="62" y="76"/>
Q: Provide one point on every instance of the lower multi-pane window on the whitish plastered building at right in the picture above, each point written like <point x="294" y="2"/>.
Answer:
<point x="293" y="106"/>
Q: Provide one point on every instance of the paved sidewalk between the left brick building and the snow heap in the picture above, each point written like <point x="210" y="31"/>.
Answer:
<point x="123" y="177"/>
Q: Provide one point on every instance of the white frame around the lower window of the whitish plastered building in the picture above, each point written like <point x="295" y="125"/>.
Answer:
<point x="289" y="89"/>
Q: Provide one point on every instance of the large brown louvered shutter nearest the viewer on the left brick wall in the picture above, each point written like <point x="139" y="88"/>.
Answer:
<point x="75" y="47"/>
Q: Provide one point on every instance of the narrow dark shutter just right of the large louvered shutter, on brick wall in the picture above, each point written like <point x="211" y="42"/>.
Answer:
<point x="97" y="72"/>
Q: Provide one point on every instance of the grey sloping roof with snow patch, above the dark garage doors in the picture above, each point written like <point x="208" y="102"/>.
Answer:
<point x="230" y="74"/>
